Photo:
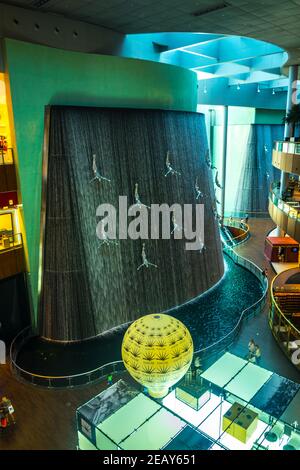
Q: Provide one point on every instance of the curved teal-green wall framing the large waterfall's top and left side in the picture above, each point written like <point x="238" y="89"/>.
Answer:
<point x="39" y="76"/>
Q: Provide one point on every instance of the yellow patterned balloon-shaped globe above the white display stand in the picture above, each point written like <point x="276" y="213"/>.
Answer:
<point x="157" y="351"/>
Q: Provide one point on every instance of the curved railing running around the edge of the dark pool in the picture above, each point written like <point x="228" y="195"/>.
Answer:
<point x="25" y="334"/>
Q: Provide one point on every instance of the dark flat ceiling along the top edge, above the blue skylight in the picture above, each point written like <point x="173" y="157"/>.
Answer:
<point x="268" y="20"/>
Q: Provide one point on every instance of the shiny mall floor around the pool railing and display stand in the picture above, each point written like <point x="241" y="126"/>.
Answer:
<point x="35" y="407"/>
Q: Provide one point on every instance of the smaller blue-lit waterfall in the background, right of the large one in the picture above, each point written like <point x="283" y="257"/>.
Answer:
<point x="257" y="171"/>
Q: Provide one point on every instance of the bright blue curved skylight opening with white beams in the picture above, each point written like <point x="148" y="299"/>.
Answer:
<point x="239" y="60"/>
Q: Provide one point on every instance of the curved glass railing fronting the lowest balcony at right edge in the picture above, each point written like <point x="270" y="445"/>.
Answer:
<point x="284" y="330"/>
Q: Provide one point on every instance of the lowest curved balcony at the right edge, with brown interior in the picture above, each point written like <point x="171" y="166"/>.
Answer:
<point x="284" y="314"/>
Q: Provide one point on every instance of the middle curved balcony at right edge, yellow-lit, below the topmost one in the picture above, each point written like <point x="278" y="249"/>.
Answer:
<point x="285" y="214"/>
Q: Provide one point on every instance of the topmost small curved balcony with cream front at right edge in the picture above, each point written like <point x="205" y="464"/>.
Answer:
<point x="286" y="157"/>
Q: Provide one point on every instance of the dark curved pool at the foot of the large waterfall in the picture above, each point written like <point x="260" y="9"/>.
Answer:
<point x="209" y="318"/>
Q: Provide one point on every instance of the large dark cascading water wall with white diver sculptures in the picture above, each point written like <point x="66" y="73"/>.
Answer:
<point x="89" y="287"/>
